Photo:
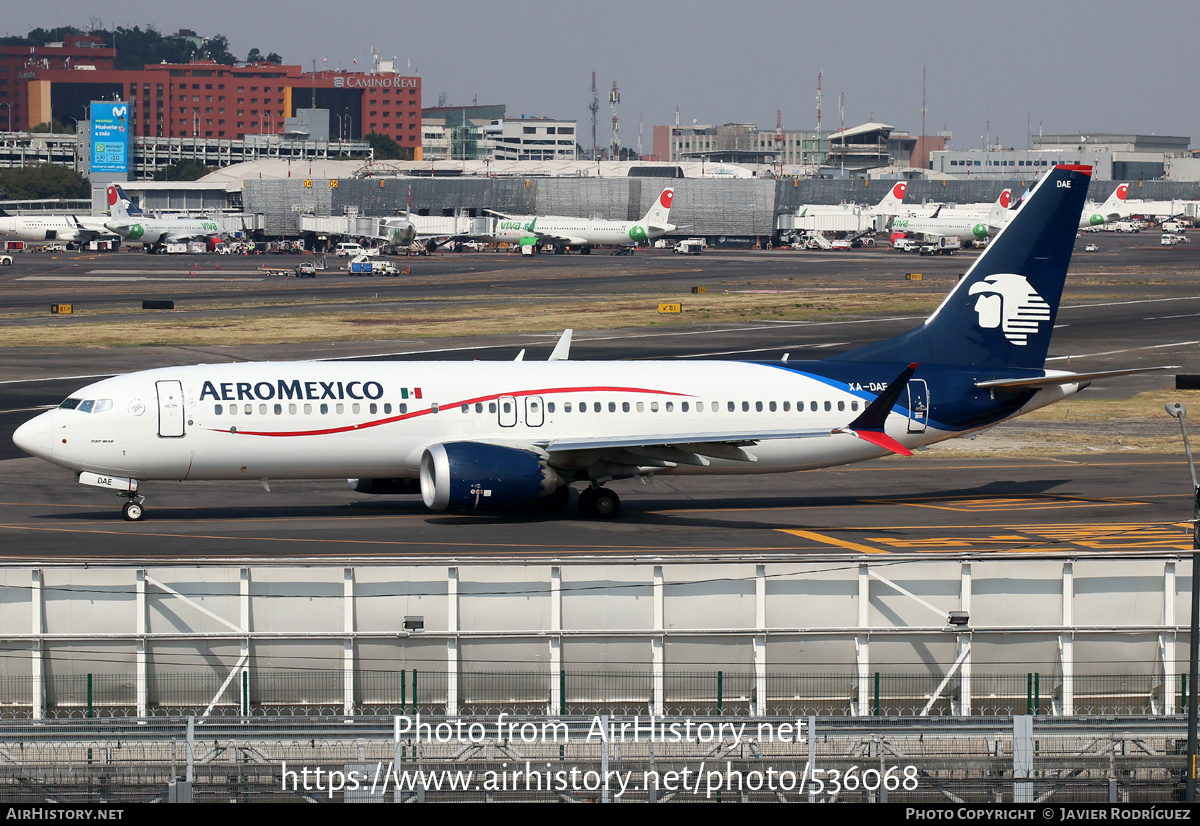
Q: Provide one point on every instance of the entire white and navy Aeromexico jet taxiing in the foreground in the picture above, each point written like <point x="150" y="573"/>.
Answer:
<point x="488" y="435"/>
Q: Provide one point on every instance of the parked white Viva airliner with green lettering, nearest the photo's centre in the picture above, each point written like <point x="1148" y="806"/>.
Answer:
<point x="584" y="234"/>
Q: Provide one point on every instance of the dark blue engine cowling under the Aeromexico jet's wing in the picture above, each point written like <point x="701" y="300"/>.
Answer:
<point x="469" y="476"/>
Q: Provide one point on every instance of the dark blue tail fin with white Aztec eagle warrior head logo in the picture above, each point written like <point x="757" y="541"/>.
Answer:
<point x="1001" y="314"/>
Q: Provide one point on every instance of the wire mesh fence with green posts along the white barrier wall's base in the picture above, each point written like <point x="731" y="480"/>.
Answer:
<point x="308" y="693"/>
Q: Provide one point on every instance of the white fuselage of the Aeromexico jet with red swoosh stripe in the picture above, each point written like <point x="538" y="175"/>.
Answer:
<point x="363" y="420"/>
